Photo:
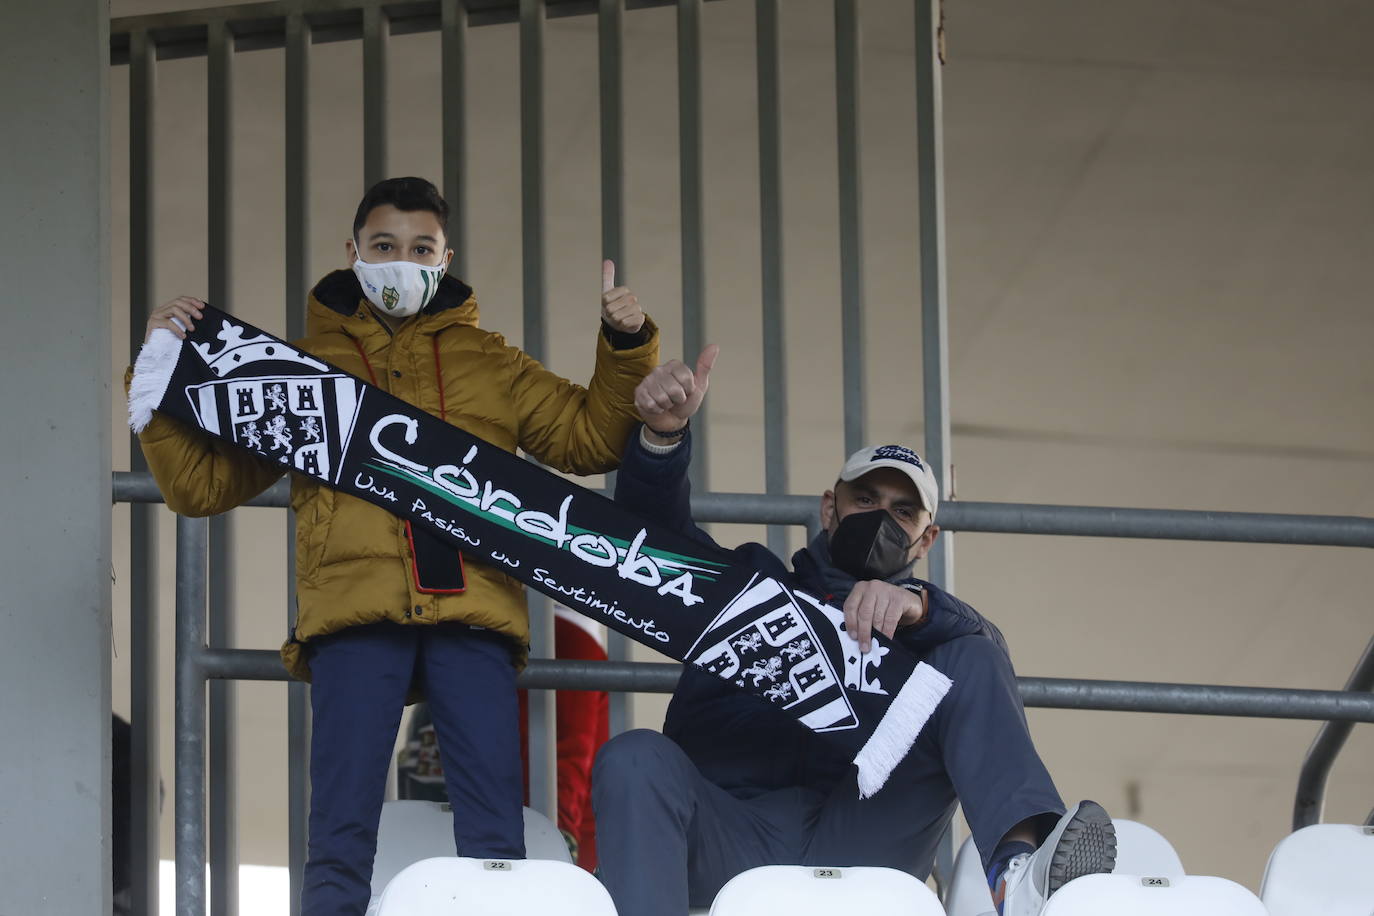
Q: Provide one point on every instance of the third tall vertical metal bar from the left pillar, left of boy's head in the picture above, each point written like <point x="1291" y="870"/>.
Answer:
<point x="297" y="286"/>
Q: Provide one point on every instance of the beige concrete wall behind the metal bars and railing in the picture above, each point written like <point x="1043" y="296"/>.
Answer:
<point x="1160" y="216"/>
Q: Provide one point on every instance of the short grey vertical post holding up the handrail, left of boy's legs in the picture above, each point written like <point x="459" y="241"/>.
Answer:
<point x="192" y="543"/>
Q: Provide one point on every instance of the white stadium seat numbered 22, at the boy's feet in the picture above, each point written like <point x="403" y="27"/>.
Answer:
<point x="494" y="888"/>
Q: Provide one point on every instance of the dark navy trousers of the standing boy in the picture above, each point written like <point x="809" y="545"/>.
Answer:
<point x="361" y="679"/>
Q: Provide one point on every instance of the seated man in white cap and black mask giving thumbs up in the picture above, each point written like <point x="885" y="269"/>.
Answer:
<point x="732" y="783"/>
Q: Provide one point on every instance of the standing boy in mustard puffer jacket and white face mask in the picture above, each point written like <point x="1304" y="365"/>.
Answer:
<point x="384" y="609"/>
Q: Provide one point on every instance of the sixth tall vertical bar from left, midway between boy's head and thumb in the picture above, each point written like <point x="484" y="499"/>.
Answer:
<point x="543" y="786"/>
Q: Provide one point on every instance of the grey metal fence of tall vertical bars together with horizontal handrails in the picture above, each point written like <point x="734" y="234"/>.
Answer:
<point x="204" y="661"/>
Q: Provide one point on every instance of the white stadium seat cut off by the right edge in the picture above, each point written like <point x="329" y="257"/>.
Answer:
<point x="1325" y="869"/>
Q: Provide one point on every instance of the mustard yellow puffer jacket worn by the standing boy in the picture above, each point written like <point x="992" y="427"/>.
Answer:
<point x="354" y="562"/>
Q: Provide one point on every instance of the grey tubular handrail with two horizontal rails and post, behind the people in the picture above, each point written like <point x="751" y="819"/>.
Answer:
<point x="199" y="664"/>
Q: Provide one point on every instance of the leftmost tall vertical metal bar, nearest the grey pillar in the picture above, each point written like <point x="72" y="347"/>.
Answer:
<point x="144" y="630"/>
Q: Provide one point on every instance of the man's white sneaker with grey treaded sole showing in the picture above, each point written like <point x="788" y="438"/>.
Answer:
<point x="1082" y="844"/>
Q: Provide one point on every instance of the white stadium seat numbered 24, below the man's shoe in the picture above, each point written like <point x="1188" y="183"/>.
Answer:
<point x="1153" y="896"/>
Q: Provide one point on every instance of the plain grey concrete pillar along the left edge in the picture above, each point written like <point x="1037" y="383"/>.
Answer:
<point x="56" y="381"/>
